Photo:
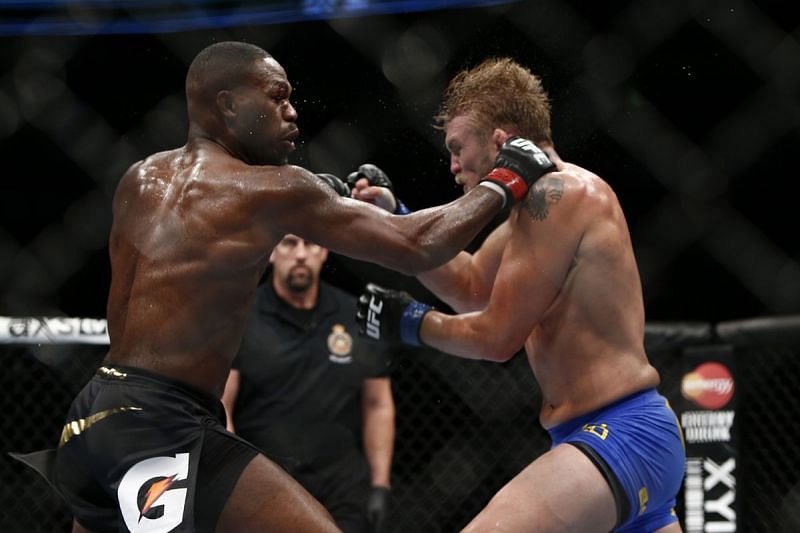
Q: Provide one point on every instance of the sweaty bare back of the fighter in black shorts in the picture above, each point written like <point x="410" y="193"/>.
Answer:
<point x="186" y="257"/>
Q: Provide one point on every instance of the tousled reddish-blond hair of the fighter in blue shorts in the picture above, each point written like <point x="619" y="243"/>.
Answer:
<point x="499" y="92"/>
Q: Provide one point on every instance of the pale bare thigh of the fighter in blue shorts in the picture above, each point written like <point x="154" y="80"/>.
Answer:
<point x="560" y="491"/>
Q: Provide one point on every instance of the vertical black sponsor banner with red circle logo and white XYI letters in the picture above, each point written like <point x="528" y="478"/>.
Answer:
<point x="707" y="412"/>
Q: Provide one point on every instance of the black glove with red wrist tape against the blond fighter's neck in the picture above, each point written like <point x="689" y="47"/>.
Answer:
<point x="517" y="167"/>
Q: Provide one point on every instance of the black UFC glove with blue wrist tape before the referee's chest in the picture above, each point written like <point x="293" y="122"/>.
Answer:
<point x="389" y="315"/>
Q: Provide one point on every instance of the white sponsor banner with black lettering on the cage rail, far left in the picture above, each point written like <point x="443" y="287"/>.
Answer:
<point x="53" y="330"/>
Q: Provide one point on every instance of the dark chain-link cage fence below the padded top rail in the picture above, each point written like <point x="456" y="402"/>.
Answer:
<point x="464" y="428"/>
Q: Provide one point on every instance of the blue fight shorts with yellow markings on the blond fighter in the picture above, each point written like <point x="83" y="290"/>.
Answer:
<point x="637" y="445"/>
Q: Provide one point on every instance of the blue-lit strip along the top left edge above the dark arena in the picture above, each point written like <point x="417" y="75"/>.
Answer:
<point x="92" y="17"/>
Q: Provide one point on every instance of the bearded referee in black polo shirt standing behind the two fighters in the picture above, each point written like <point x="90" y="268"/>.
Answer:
<point x="311" y="393"/>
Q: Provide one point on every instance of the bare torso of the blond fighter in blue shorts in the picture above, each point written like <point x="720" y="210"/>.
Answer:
<point x="587" y="348"/>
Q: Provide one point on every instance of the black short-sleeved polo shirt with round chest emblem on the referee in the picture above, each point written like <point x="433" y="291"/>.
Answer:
<point x="301" y="376"/>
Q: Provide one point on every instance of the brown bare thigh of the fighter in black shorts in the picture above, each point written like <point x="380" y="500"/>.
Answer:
<point x="266" y="498"/>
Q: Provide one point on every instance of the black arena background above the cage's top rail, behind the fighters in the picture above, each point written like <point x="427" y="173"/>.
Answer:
<point x="688" y="109"/>
